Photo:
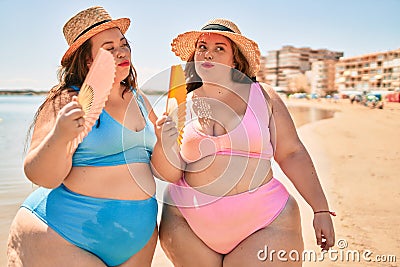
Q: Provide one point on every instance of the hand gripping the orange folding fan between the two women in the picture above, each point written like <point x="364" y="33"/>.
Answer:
<point x="166" y="131"/>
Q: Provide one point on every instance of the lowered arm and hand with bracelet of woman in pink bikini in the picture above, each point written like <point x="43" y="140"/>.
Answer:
<point x="296" y="163"/>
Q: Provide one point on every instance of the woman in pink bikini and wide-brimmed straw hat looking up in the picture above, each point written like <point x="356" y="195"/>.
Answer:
<point x="227" y="205"/>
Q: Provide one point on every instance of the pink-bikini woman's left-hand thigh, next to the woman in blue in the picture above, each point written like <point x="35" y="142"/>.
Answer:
<point x="181" y="244"/>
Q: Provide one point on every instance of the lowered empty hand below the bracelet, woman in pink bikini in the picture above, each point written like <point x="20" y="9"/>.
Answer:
<point x="324" y="232"/>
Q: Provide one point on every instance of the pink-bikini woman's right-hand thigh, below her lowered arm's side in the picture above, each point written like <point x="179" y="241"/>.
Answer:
<point x="263" y="247"/>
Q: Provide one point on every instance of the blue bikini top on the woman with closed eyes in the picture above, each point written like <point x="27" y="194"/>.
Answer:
<point x="109" y="143"/>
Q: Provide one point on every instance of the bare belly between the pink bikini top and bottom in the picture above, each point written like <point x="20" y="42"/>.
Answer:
<point x="228" y="175"/>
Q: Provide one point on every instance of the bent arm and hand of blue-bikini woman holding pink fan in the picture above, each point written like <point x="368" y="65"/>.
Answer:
<point x="48" y="160"/>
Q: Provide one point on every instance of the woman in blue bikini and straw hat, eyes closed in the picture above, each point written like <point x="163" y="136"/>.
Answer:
<point x="95" y="207"/>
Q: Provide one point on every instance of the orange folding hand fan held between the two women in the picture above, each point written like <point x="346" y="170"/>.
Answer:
<point x="176" y="101"/>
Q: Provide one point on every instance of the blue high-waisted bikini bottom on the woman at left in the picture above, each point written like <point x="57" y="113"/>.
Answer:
<point x="113" y="230"/>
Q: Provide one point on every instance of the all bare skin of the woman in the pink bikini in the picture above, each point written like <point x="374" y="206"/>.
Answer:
<point x="221" y="175"/>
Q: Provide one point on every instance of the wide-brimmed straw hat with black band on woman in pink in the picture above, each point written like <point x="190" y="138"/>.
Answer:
<point x="184" y="44"/>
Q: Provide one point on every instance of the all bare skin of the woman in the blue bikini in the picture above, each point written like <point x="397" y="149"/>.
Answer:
<point x="42" y="246"/>
